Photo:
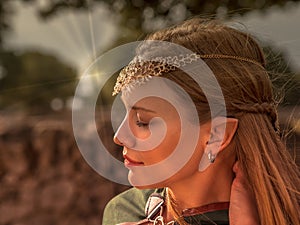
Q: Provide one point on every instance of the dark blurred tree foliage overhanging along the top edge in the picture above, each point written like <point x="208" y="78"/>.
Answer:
<point x="137" y="17"/>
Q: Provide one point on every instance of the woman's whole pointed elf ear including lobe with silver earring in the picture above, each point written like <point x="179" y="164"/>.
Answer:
<point x="221" y="134"/>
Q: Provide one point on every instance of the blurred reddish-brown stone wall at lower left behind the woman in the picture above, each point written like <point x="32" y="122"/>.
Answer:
<point x="44" y="179"/>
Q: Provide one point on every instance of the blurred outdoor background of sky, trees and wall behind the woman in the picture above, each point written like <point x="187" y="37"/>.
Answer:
<point x="45" y="47"/>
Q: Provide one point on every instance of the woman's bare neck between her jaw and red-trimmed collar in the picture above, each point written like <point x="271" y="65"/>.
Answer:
<point x="202" y="188"/>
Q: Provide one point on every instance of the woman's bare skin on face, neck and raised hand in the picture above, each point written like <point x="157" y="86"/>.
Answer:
<point x="190" y="187"/>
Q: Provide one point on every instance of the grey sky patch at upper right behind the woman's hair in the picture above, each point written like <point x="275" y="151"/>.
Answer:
<point x="279" y="26"/>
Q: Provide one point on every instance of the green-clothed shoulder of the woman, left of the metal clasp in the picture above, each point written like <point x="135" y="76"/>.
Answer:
<point x="128" y="206"/>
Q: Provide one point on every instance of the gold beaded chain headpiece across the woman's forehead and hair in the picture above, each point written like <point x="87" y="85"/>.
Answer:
<point x="139" y="71"/>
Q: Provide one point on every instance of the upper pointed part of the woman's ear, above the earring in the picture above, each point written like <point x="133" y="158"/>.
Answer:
<point x="222" y="132"/>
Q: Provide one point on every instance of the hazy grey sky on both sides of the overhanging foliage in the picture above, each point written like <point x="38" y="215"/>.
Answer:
<point x="68" y="34"/>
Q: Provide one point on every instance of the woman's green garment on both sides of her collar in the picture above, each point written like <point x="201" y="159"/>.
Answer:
<point x="129" y="206"/>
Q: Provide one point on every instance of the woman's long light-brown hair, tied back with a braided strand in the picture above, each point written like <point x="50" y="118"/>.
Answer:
<point x="272" y="174"/>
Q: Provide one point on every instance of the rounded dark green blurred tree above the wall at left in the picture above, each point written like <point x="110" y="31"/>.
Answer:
<point x="33" y="80"/>
